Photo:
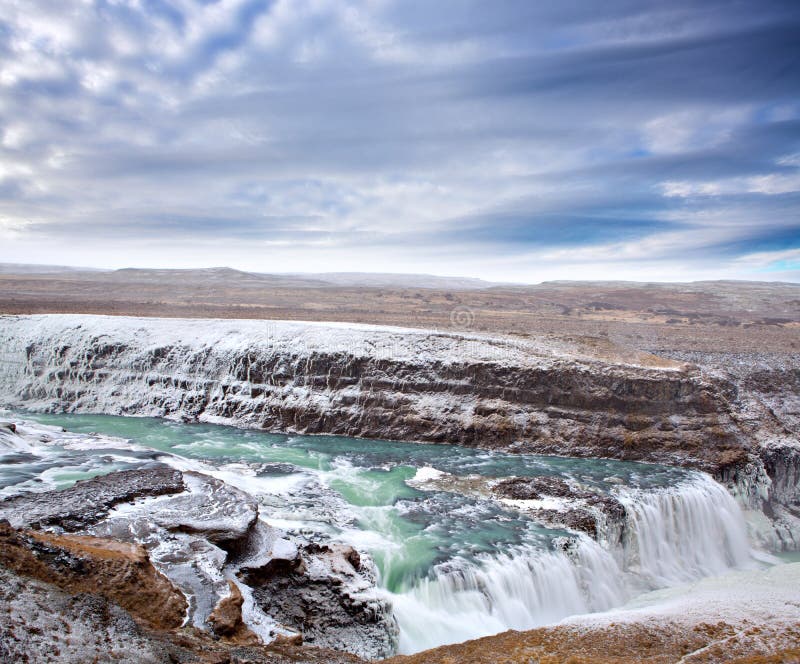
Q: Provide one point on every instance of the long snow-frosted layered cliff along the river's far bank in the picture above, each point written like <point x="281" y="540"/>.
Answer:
<point x="543" y="396"/>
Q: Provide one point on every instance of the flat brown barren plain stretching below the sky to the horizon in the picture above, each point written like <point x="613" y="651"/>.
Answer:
<point x="739" y="317"/>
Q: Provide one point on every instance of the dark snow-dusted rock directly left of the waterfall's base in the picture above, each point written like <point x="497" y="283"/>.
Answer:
<point x="328" y="596"/>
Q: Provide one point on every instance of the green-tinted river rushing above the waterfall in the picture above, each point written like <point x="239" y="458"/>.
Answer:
<point x="406" y="530"/>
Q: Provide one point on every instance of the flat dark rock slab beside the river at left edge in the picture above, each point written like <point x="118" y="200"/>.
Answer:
<point x="88" y="501"/>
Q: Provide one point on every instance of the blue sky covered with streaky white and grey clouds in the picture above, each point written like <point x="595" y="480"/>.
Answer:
<point x="507" y="140"/>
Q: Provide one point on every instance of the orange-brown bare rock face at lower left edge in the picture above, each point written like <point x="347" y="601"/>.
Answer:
<point x="118" y="571"/>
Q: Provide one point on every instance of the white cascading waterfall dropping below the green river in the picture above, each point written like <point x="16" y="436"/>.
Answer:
<point x="671" y="535"/>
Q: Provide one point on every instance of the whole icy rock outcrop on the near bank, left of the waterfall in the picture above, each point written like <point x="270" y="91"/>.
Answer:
<point x="170" y="553"/>
